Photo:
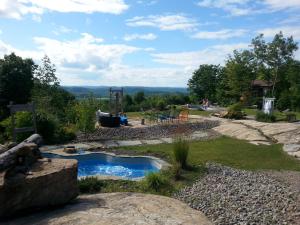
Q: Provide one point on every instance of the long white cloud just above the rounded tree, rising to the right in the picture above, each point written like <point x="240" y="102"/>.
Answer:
<point x="212" y="55"/>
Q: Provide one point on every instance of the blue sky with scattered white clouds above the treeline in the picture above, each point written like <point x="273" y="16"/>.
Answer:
<point x="137" y="42"/>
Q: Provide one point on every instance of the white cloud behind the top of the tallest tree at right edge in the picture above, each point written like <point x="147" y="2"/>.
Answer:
<point x="286" y="30"/>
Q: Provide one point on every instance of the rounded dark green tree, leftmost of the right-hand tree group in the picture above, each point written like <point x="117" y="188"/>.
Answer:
<point x="204" y="81"/>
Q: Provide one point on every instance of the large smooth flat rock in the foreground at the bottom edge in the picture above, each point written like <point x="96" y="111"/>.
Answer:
<point x="119" y="209"/>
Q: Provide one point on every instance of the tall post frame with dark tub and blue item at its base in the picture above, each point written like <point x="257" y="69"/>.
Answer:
<point x="115" y="117"/>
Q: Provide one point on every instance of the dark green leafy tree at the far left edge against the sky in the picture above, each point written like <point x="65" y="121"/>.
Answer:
<point x="16" y="81"/>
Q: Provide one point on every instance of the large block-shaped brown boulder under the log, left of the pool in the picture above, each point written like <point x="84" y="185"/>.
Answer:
<point x="47" y="183"/>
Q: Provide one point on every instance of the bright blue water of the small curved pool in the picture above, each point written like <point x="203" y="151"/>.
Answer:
<point x="103" y="164"/>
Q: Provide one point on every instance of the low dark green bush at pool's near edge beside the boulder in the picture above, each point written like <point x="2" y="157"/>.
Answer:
<point x="90" y="185"/>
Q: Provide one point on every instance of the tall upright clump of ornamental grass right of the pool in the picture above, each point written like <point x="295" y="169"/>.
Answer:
<point x="181" y="151"/>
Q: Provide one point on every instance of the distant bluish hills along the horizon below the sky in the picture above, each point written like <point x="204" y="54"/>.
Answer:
<point x="103" y="91"/>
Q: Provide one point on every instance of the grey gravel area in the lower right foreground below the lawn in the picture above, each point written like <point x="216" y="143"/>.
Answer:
<point x="230" y="196"/>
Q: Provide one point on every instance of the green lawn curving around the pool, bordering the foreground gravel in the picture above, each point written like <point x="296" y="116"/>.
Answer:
<point x="227" y="151"/>
